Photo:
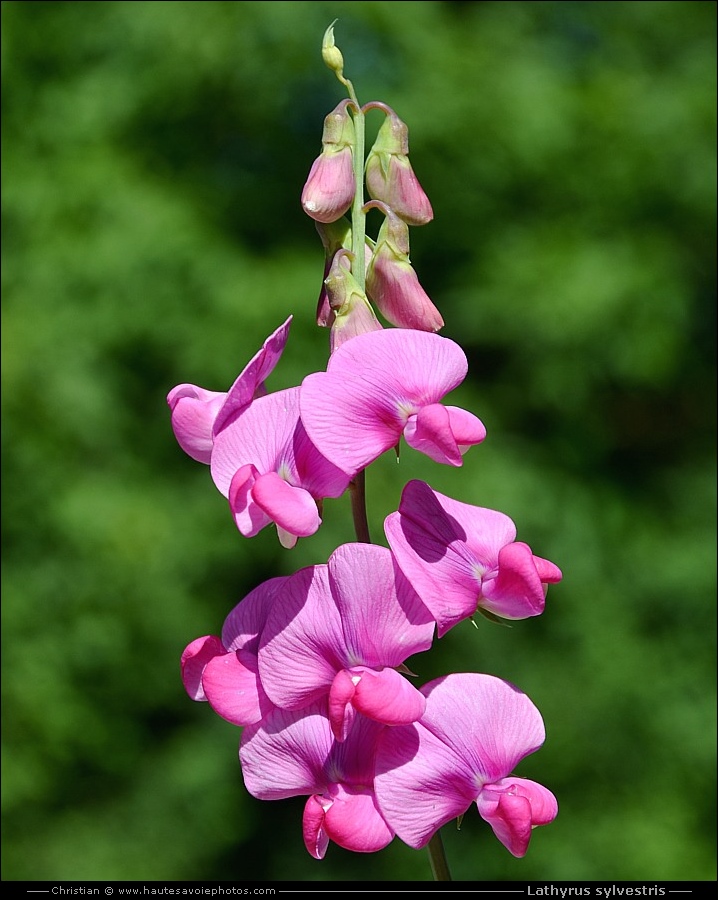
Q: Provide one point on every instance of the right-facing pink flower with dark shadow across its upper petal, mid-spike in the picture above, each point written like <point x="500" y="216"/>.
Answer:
<point x="460" y="557"/>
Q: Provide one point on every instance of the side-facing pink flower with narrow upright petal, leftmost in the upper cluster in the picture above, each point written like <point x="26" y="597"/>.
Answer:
<point x="198" y="414"/>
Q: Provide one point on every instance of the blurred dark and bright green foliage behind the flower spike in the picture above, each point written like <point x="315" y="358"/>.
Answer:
<point x="153" y="158"/>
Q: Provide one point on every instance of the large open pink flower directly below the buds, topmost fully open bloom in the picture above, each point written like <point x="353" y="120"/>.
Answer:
<point x="383" y="384"/>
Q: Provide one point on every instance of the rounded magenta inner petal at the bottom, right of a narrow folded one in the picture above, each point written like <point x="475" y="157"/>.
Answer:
<point x="353" y="821"/>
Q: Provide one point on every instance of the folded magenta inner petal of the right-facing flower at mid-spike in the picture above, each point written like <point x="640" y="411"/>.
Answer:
<point x="516" y="592"/>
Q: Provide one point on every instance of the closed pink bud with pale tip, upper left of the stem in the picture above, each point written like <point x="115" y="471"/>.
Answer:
<point x="330" y="187"/>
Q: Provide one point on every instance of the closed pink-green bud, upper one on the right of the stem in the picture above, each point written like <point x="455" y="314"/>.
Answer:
<point x="389" y="175"/>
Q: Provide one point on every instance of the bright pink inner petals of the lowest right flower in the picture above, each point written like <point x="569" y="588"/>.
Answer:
<point x="513" y="807"/>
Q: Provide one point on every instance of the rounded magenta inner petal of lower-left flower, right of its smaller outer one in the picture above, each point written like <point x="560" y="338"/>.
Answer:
<point x="232" y="686"/>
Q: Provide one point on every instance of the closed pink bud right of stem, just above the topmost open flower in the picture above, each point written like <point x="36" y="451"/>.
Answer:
<point x="391" y="282"/>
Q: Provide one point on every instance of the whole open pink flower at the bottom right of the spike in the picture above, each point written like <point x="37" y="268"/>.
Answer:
<point x="475" y="730"/>
